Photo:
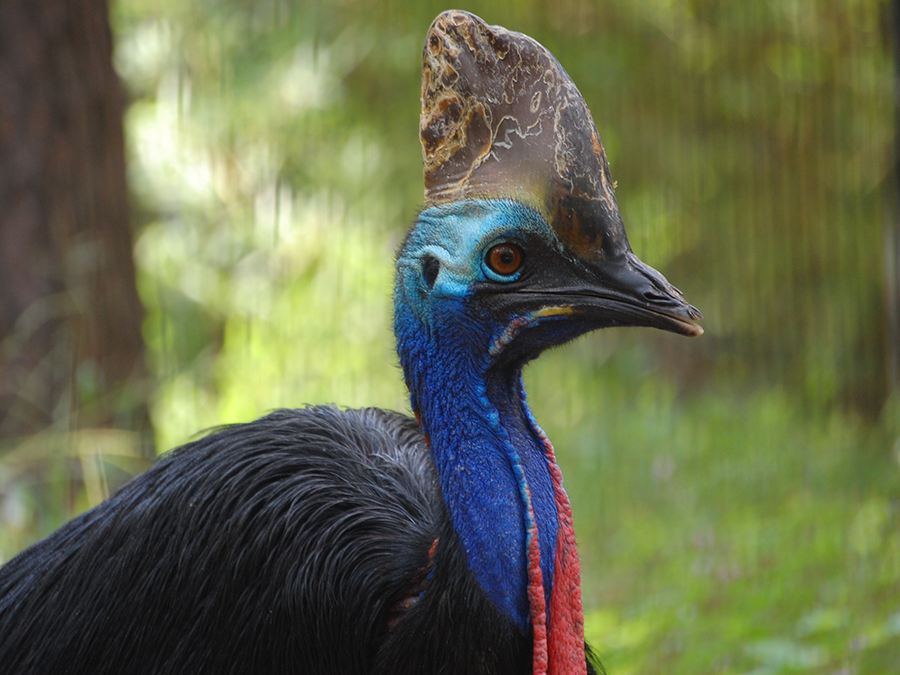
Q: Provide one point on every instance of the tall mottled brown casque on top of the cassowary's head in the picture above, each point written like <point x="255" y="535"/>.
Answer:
<point x="502" y="118"/>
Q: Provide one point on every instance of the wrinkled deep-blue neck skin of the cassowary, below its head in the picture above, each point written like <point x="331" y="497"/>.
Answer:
<point x="489" y="460"/>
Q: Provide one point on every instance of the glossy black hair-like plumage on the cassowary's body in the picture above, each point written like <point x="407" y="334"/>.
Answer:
<point x="297" y="543"/>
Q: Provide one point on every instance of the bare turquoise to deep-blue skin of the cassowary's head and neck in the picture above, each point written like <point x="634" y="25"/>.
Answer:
<point x="482" y="436"/>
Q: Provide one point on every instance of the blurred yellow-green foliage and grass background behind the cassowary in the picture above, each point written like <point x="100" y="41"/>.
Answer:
<point x="737" y="497"/>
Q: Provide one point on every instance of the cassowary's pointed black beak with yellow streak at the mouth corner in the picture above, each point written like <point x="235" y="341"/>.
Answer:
<point x="591" y="294"/>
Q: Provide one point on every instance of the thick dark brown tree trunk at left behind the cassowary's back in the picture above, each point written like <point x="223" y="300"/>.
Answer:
<point x="71" y="351"/>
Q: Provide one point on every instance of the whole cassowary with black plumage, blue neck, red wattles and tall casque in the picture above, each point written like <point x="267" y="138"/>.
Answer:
<point x="323" y="541"/>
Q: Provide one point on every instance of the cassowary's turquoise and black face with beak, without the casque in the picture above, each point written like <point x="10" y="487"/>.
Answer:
<point x="498" y="270"/>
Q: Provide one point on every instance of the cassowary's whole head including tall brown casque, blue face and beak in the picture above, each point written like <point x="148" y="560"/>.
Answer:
<point x="521" y="245"/>
